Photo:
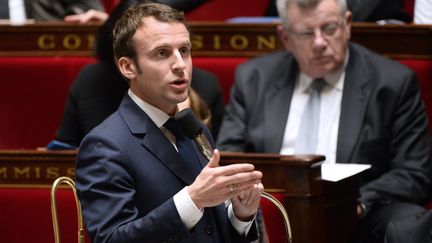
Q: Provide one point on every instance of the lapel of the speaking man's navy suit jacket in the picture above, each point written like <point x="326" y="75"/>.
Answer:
<point x="154" y="140"/>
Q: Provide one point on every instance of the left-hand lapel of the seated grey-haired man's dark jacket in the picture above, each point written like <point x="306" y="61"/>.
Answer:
<point x="277" y="103"/>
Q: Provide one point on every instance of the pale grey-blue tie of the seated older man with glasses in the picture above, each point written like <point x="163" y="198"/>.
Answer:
<point x="307" y="138"/>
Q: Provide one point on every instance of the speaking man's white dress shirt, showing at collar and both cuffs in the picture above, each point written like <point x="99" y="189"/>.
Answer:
<point x="188" y="211"/>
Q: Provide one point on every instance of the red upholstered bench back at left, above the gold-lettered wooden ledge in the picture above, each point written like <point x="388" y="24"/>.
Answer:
<point x="32" y="98"/>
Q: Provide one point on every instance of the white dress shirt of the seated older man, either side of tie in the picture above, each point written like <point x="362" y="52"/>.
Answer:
<point x="331" y="97"/>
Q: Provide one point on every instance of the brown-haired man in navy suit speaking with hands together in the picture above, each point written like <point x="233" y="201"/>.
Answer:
<point x="135" y="179"/>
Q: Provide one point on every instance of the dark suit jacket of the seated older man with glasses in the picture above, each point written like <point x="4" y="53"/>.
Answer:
<point x="382" y="122"/>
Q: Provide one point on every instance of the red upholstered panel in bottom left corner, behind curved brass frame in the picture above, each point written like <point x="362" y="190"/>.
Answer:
<point x="26" y="215"/>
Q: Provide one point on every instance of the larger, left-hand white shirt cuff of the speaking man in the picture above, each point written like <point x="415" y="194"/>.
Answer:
<point x="188" y="211"/>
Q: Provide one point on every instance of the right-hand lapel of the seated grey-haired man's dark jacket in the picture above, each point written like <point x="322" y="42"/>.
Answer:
<point x="353" y="107"/>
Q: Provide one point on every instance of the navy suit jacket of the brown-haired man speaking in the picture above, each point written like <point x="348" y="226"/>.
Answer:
<point x="127" y="173"/>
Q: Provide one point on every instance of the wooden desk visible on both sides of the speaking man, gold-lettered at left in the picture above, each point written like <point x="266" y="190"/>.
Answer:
<point x="319" y="212"/>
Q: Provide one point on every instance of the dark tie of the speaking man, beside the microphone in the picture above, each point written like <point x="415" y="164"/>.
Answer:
<point x="185" y="146"/>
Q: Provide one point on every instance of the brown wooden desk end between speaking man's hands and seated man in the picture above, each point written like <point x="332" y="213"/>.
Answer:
<point x="319" y="211"/>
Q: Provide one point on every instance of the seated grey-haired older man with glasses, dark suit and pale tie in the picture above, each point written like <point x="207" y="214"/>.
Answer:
<point x="370" y="111"/>
